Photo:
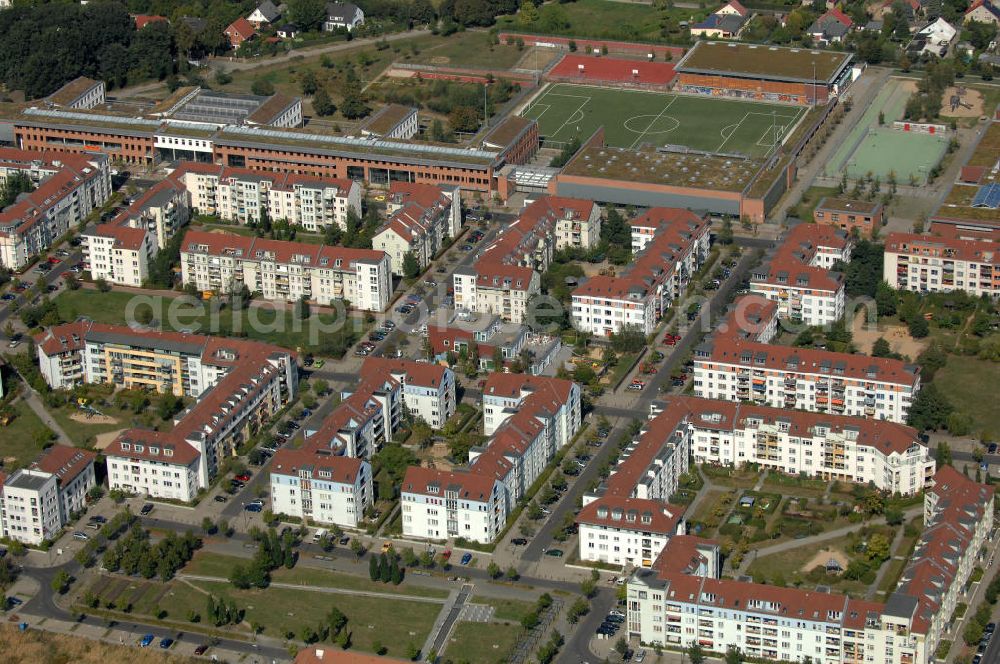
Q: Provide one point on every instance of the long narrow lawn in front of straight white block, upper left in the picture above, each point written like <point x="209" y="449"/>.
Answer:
<point x="264" y="323"/>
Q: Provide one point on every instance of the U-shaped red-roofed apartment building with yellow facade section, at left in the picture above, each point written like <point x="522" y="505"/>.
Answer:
<point x="236" y="385"/>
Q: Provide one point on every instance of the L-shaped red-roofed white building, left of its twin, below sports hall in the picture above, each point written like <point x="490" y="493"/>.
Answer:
<point x="508" y="271"/>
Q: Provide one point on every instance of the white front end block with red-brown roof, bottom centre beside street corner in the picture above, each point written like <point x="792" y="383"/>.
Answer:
<point x="440" y="505"/>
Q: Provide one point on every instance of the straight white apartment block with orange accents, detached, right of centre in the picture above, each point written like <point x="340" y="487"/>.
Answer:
<point x="805" y="379"/>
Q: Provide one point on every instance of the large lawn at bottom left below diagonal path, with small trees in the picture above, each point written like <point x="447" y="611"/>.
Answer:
<point x="394" y="623"/>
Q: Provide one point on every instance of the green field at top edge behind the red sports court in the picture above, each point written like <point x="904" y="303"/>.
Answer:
<point x="607" y="20"/>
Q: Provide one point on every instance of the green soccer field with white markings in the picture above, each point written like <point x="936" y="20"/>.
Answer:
<point x="632" y="118"/>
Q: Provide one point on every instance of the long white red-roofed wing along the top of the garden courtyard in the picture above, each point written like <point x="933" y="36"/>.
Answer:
<point x="886" y="455"/>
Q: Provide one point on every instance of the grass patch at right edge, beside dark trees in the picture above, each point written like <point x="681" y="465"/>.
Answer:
<point x="965" y="380"/>
